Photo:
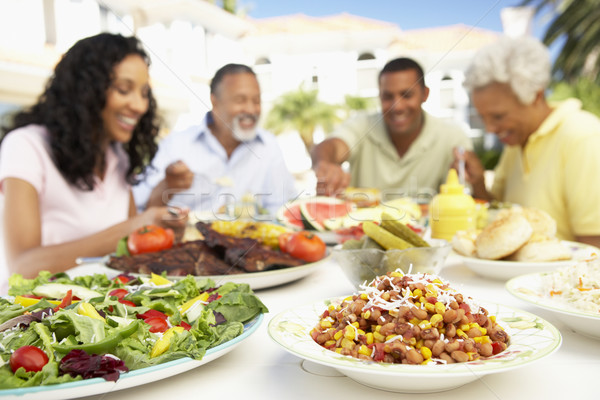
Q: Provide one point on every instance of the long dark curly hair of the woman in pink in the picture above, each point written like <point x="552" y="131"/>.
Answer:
<point x="71" y="105"/>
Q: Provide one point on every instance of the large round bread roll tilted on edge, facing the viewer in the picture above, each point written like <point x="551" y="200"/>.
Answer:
<point x="505" y="235"/>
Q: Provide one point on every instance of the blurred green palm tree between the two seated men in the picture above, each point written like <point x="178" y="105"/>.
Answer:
<point x="301" y="111"/>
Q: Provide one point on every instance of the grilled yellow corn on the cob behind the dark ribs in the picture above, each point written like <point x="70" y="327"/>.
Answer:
<point x="264" y="232"/>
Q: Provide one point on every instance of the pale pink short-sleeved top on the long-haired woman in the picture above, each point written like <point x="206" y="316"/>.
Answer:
<point x="67" y="212"/>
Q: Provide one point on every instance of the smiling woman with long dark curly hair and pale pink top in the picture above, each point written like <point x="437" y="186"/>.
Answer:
<point x="67" y="164"/>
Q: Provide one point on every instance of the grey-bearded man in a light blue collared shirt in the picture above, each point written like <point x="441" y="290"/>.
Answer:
<point x="225" y="160"/>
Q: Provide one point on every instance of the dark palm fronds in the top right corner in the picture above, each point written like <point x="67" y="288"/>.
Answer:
<point x="575" y="22"/>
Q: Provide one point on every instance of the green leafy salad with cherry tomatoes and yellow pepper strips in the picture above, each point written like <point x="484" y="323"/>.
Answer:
<point x="54" y="329"/>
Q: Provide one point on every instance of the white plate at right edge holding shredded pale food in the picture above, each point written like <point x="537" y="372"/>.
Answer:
<point x="529" y="288"/>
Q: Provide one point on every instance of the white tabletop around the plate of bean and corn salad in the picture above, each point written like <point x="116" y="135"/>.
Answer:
<point x="260" y="369"/>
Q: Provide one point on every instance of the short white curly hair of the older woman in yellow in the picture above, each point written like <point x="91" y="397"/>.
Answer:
<point x="523" y="63"/>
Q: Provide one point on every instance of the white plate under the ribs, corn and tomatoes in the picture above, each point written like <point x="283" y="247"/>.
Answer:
<point x="256" y="280"/>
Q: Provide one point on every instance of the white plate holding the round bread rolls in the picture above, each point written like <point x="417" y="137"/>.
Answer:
<point x="499" y="269"/>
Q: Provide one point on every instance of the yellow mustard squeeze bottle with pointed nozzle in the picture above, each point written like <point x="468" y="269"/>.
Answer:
<point x="451" y="210"/>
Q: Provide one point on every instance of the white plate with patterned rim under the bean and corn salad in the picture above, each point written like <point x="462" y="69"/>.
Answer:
<point x="531" y="338"/>
